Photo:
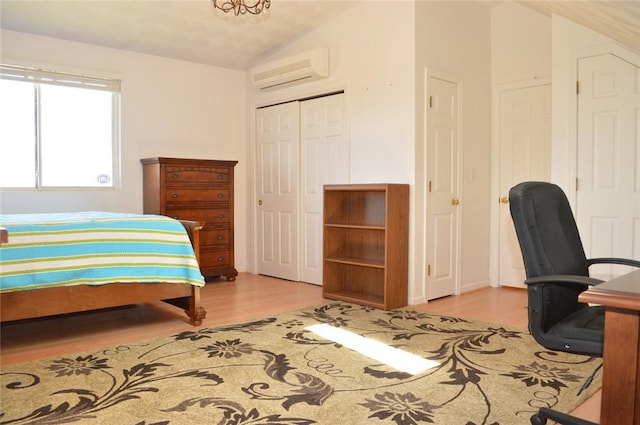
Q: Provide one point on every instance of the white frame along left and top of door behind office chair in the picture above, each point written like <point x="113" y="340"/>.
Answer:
<point x="494" y="233"/>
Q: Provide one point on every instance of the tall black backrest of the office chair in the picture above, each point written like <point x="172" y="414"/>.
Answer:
<point x="547" y="231"/>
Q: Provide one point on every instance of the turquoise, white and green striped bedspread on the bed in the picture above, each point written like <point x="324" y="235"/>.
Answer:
<point x="95" y="248"/>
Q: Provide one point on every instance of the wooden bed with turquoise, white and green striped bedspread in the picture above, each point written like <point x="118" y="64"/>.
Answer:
<point x="62" y="263"/>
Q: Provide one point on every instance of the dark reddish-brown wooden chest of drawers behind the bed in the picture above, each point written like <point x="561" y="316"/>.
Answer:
<point x="200" y="190"/>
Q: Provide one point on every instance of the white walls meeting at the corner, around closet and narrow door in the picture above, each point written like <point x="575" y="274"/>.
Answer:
<point x="378" y="54"/>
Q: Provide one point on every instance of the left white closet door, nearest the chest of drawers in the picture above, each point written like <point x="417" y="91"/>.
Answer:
<point x="277" y="177"/>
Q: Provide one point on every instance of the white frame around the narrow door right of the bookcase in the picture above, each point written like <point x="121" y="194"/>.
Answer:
<point x="422" y="238"/>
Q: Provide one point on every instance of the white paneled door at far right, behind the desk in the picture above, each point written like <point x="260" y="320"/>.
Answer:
<point x="608" y="174"/>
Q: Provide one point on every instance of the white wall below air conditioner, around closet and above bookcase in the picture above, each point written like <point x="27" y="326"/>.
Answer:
<point x="371" y="58"/>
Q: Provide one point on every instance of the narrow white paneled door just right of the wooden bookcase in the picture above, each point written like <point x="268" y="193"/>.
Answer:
<point x="442" y="188"/>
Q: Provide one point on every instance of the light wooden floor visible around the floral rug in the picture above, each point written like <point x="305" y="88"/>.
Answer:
<point x="250" y="296"/>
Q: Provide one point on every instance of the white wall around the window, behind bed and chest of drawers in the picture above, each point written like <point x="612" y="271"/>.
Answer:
<point x="169" y="108"/>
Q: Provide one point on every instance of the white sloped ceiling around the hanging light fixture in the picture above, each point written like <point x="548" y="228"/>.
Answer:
<point x="194" y="31"/>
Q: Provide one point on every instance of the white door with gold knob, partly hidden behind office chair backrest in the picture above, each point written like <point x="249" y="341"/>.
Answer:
<point x="524" y="131"/>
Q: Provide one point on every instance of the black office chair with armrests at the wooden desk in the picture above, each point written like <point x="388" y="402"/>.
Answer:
<point x="557" y="272"/>
